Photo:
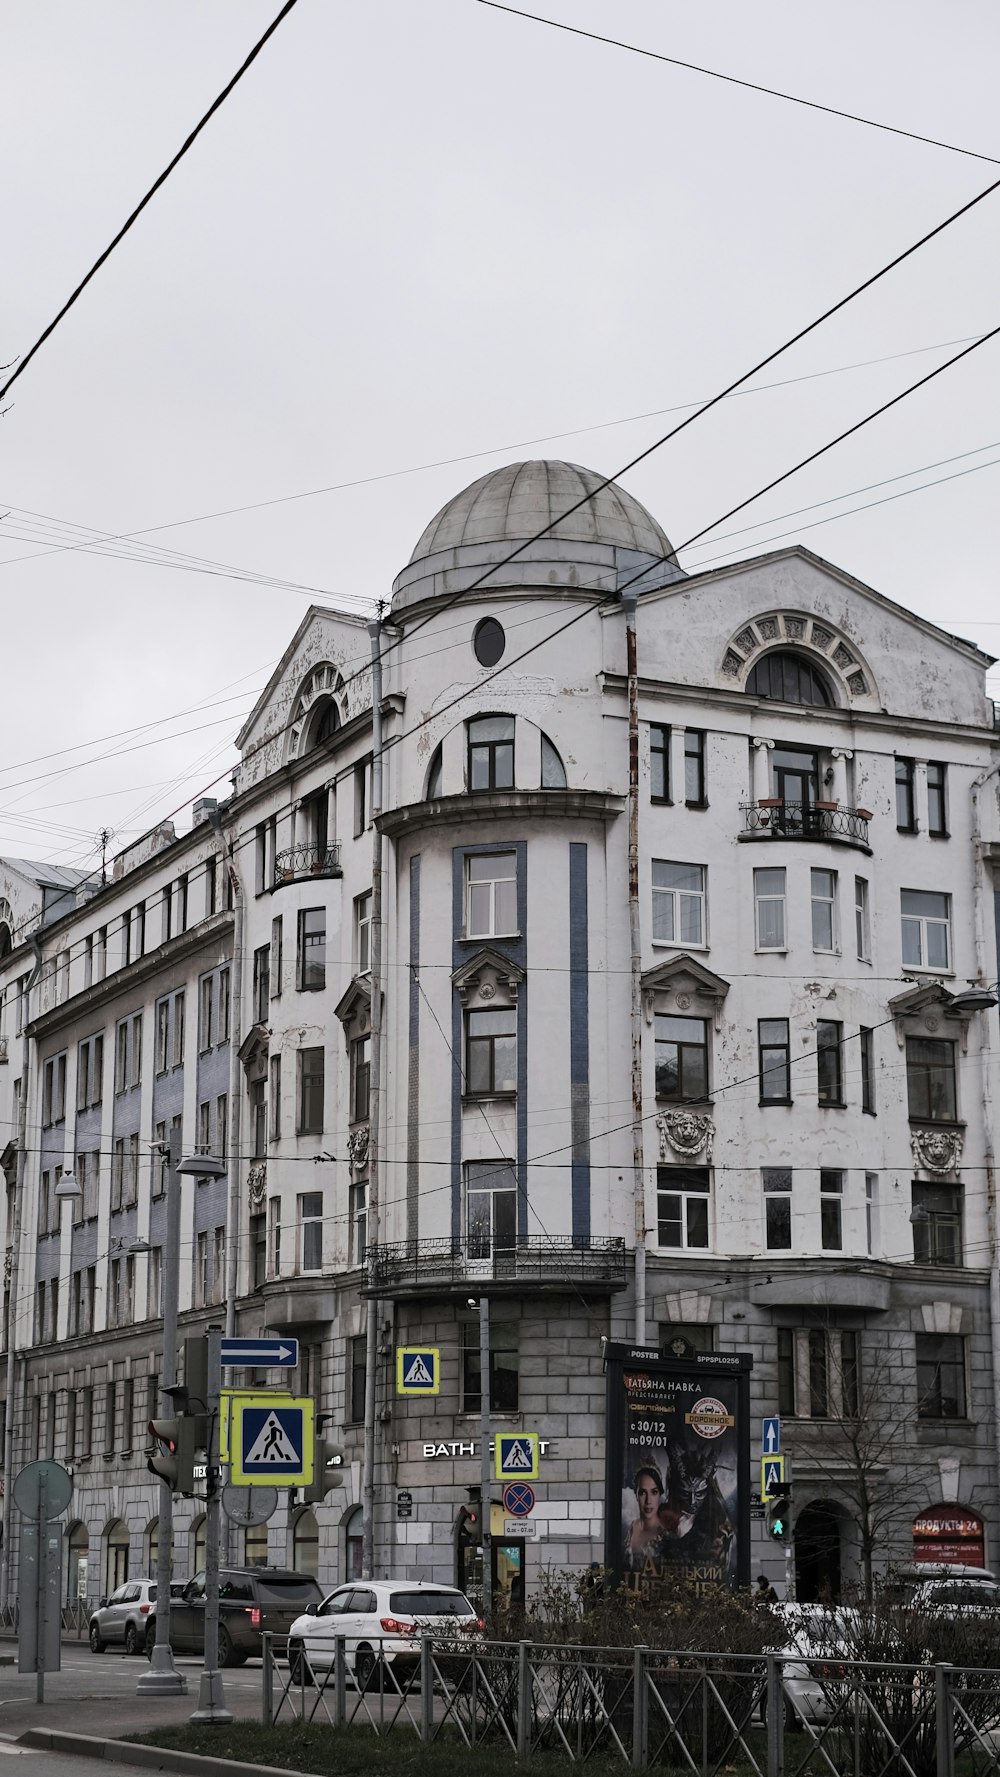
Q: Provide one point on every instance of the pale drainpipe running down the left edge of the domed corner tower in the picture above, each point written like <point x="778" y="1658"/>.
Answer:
<point x="374" y="1110"/>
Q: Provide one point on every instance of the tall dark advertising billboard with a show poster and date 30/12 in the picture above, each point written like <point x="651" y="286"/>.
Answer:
<point x="678" y="1492"/>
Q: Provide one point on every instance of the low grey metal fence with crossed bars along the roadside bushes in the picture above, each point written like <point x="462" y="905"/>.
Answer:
<point x="699" y="1714"/>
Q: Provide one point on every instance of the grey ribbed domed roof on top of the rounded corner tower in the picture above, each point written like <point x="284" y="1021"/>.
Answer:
<point x="520" y="500"/>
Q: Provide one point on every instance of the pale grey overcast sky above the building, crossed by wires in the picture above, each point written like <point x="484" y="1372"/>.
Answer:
<point x="425" y="230"/>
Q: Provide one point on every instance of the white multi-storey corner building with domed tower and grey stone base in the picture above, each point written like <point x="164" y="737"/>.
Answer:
<point x="813" y="1168"/>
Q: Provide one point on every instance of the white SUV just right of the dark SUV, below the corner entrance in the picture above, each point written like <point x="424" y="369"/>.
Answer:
<point x="383" y="1623"/>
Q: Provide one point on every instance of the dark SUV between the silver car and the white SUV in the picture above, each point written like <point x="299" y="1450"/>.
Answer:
<point x="250" y="1600"/>
